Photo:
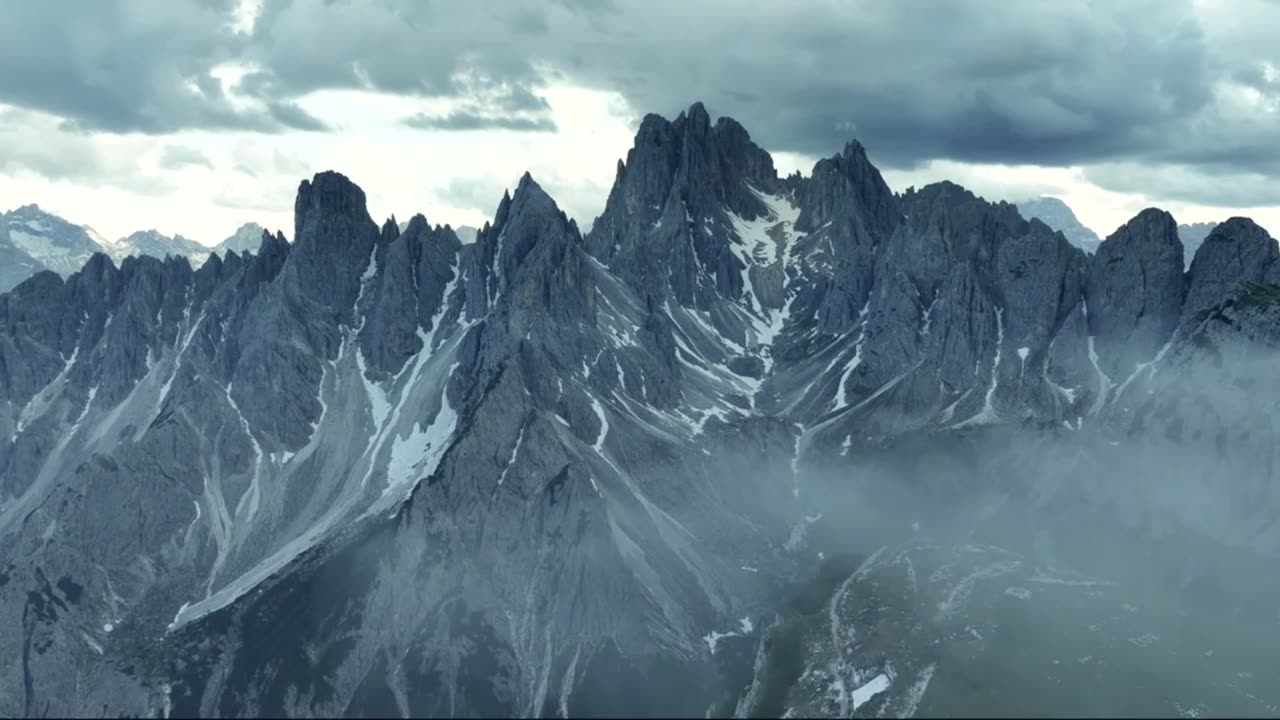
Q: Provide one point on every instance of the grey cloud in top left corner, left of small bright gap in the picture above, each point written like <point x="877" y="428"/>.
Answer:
<point x="125" y="66"/>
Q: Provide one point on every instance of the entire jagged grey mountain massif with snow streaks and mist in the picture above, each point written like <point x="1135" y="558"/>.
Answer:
<point x="756" y="445"/>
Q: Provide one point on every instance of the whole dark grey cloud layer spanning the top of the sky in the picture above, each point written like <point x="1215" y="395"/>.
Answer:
<point x="1043" y="83"/>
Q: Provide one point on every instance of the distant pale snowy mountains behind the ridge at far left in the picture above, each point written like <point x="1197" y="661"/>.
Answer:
<point x="35" y="240"/>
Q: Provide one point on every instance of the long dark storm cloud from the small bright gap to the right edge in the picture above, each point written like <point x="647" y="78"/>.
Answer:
<point x="915" y="80"/>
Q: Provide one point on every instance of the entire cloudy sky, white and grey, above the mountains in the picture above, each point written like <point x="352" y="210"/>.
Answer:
<point x="195" y="116"/>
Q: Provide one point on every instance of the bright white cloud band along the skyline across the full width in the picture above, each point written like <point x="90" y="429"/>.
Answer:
<point x="120" y="183"/>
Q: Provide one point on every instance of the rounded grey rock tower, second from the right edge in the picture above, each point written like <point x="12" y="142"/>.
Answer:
<point x="1135" y="291"/>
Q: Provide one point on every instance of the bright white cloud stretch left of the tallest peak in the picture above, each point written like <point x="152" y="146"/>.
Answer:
<point x="403" y="171"/>
